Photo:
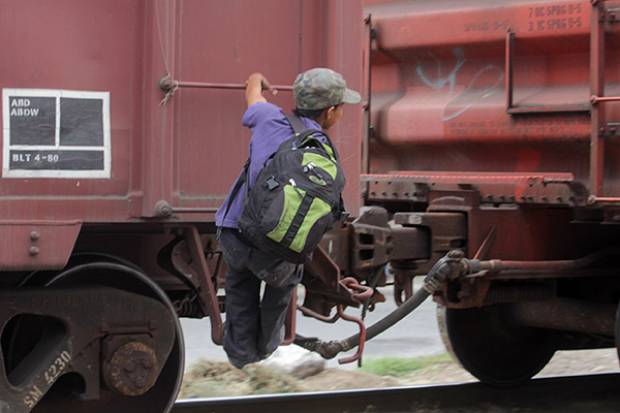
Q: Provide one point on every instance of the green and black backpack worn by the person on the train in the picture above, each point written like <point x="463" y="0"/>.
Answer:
<point x="296" y="197"/>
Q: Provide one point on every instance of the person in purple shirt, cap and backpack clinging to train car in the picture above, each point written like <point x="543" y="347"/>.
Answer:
<point x="287" y="196"/>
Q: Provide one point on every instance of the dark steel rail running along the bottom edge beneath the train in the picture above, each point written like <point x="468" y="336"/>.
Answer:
<point x="591" y="394"/>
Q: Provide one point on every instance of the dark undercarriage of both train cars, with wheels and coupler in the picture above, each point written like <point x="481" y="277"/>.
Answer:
<point x="104" y="330"/>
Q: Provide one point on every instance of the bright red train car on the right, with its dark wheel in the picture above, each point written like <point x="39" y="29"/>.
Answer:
<point x="494" y="130"/>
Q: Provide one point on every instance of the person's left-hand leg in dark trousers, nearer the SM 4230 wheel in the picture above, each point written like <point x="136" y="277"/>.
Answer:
<point x="242" y="303"/>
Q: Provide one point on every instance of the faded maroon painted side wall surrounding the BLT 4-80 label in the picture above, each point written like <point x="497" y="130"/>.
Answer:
<point x="185" y="153"/>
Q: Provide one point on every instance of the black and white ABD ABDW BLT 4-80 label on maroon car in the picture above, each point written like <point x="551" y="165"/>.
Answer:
<point x="56" y="134"/>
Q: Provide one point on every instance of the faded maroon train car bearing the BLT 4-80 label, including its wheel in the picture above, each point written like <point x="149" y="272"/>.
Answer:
<point x="109" y="184"/>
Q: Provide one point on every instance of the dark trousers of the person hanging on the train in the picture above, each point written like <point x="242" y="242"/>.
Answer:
<point x="254" y="327"/>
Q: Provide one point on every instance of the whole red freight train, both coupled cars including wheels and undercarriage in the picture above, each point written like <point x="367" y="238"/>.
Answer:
<point x="484" y="157"/>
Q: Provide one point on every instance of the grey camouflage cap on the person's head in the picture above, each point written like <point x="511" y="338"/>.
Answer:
<point x="320" y="88"/>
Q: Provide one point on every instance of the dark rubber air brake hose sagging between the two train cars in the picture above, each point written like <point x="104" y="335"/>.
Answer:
<point x="447" y="268"/>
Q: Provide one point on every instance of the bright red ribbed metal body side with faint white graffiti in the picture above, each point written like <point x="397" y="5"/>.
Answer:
<point x="442" y="77"/>
